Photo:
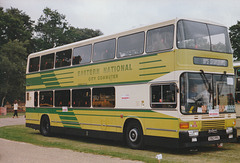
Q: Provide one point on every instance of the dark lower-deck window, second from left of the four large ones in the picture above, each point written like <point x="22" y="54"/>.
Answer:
<point x="62" y="98"/>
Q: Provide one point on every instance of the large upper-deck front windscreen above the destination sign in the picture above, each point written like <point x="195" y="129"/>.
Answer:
<point x="202" y="36"/>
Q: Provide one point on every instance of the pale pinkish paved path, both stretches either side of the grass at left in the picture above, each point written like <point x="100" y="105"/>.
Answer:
<point x="12" y="151"/>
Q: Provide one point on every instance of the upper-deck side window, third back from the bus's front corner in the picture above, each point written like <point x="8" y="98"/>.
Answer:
<point x="104" y="50"/>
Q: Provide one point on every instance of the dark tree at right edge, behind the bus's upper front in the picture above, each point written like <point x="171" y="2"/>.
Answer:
<point x="235" y="39"/>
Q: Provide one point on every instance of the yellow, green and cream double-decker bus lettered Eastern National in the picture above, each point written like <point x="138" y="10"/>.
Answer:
<point x="169" y="84"/>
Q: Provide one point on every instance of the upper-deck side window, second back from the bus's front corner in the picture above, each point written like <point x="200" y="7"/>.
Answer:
<point x="130" y="45"/>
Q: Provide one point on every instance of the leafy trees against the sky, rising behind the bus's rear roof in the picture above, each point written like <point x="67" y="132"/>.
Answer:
<point x="52" y="30"/>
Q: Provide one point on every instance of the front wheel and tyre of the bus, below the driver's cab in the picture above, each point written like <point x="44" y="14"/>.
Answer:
<point x="134" y="135"/>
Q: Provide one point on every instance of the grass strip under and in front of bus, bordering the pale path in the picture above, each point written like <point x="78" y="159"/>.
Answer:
<point x="228" y="153"/>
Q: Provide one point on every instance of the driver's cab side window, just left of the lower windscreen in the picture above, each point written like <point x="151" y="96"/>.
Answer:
<point x="163" y="96"/>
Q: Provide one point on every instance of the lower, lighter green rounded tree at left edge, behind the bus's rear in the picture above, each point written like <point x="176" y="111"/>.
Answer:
<point x="12" y="71"/>
